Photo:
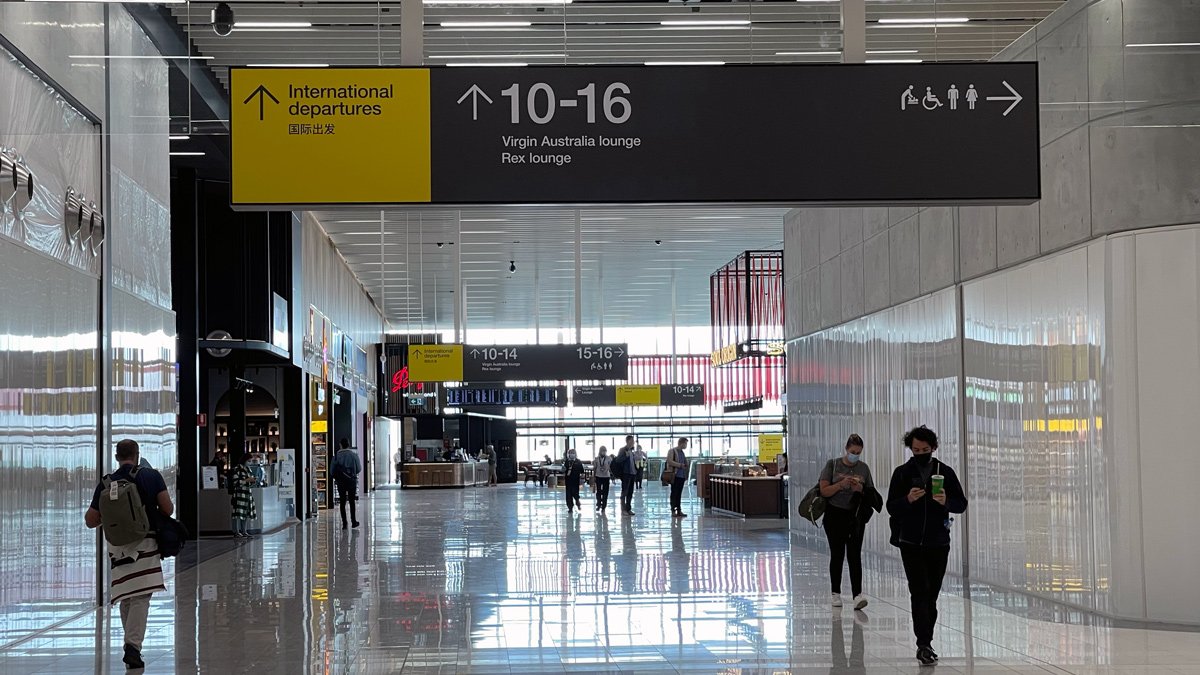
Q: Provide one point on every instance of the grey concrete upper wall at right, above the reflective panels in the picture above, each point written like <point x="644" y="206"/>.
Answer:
<point x="1120" y="152"/>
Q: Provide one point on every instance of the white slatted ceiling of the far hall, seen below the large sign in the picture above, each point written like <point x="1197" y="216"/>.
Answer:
<point x="627" y="278"/>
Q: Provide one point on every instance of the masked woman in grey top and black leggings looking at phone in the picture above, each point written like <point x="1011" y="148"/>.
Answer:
<point x="843" y="485"/>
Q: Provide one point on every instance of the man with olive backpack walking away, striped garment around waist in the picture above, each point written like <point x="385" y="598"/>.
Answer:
<point x="128" y="505"/>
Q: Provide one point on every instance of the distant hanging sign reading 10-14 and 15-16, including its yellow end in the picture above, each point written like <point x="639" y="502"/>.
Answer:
<point x="506" y="363"/>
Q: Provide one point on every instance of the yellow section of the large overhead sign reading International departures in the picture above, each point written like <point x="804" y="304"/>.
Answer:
<point x="329" y="136"/>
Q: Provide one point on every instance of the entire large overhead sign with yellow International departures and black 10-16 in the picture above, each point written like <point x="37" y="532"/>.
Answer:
<point x="778" y="134"/>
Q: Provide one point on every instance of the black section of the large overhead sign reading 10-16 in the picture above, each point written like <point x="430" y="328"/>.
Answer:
<point x="826" y="134"/>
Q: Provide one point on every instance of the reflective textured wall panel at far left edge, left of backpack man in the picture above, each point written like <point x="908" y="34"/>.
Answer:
<point x="47" y="440"/>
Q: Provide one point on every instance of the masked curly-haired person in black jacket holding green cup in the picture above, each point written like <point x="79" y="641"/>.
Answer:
<point x="921" y="499"/>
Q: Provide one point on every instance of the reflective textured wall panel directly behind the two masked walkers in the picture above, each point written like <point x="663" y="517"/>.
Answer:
<point x="877" y="377"/>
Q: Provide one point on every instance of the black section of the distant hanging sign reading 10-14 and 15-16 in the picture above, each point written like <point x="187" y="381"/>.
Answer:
<point x="501" y="363"/>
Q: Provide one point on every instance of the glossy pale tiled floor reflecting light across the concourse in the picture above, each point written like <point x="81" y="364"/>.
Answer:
<point x="503" y="581"/>
